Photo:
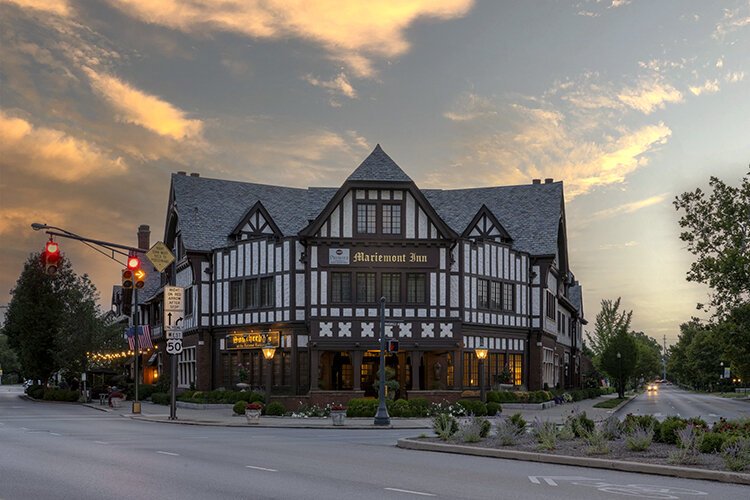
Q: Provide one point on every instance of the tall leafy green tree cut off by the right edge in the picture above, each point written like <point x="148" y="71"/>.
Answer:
<point x="717" y="231"/>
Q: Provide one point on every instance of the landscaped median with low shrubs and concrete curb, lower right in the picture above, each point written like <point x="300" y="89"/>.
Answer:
<point x="676" y="447"/>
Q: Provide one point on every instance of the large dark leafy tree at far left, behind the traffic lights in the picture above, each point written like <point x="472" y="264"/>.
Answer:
<point x="53" y="321"/>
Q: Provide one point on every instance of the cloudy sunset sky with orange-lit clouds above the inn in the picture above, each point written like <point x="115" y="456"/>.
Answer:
<point x="629" y="103"/>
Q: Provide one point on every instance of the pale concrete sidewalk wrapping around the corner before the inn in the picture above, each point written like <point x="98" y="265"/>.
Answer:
<point x="225" y="416"/>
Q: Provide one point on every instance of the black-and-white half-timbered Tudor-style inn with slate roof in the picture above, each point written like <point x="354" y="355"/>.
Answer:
<point x="304" y="270"/>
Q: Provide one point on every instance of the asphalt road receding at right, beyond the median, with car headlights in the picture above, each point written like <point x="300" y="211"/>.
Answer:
<point x="671" y="400"/>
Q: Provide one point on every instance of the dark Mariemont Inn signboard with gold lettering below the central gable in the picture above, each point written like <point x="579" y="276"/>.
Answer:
<point x="384" y="257"/>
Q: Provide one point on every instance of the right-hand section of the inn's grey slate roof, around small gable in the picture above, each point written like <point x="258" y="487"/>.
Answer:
<point x="530" y="213"/>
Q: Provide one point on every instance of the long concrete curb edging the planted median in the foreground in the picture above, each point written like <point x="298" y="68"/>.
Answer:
<point x="596" y="463"/>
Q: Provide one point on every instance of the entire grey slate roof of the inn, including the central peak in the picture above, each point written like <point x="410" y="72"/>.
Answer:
<point x="209" y="209"/>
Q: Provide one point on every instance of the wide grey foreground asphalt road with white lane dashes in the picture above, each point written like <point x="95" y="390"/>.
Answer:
<point x="56" y="450"/>
